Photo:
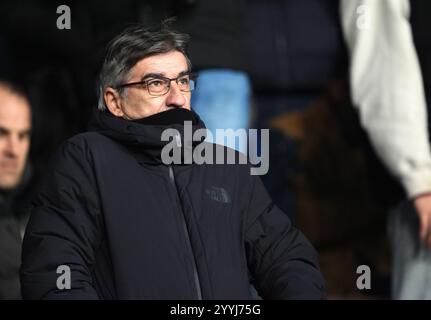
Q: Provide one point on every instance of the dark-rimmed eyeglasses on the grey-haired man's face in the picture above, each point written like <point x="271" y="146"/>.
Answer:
<point x="160" y="86"/>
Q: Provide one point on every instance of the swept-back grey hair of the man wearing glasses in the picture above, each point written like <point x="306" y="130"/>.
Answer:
<point x="131" y="46"/>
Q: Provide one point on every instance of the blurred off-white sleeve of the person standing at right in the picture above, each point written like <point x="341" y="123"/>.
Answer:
<point x="387" y="87"/>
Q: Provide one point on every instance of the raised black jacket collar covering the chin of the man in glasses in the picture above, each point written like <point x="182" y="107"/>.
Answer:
<point x="144" y="136"/>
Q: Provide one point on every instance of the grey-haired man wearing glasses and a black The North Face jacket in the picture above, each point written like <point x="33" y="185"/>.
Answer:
<point x="114" y="220"/>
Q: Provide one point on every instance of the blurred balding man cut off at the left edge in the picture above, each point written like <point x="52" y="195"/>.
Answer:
<point x="15" y="126"/>
